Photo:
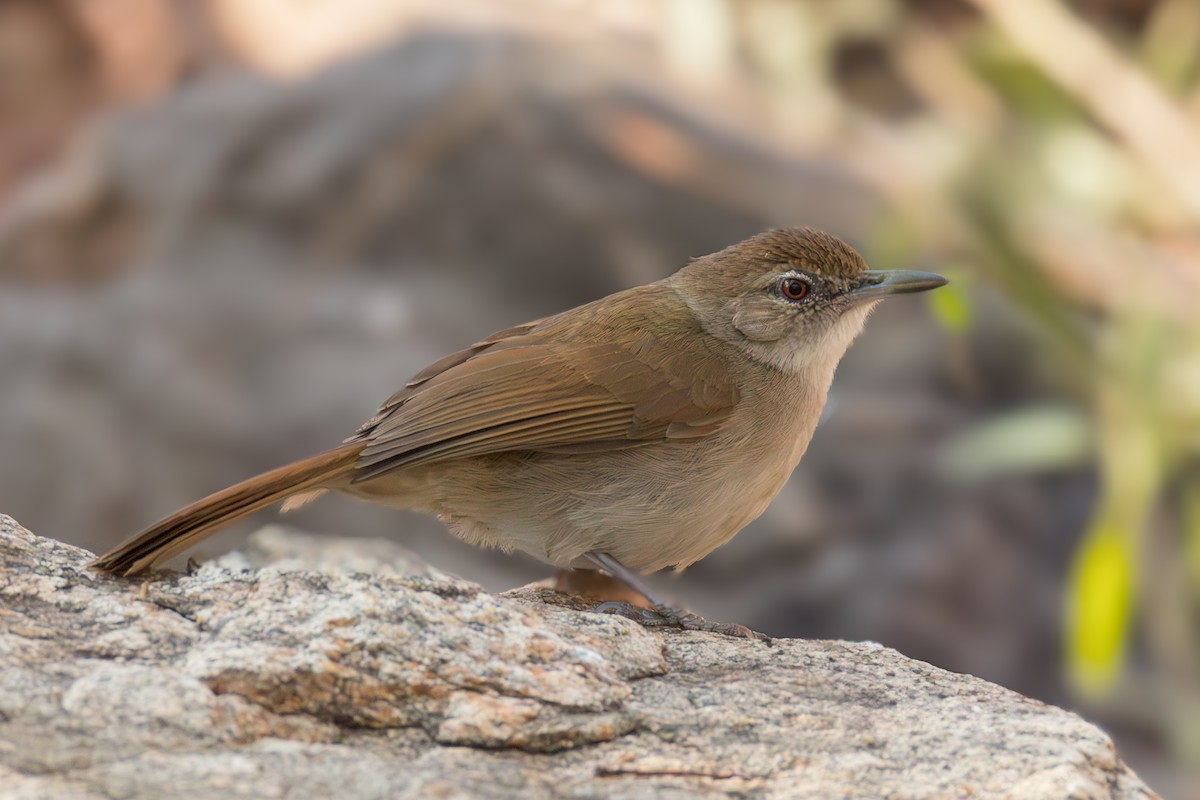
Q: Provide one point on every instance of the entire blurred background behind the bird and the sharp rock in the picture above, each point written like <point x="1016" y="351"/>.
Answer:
<point x="231" y="228"/>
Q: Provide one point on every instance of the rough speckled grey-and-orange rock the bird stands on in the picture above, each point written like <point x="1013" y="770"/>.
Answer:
<point x="304" y="683"/>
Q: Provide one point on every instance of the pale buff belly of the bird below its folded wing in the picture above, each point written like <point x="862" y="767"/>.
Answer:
<point x="651" y="508"/>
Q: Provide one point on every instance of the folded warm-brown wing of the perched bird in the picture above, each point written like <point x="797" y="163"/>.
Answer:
<point x="524" y="393"/>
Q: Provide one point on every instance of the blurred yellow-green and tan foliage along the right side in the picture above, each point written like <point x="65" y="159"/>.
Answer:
<point x="1055" y="148"/>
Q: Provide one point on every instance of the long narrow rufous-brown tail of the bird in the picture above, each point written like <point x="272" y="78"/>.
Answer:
<point x="187" y="527"/>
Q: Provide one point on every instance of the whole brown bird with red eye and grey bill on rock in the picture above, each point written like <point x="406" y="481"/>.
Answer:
<point x="631" y="435"/>
